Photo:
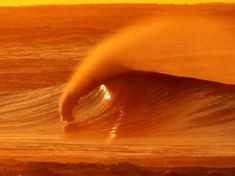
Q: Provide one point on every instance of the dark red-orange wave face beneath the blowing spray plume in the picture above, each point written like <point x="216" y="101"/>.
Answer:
<point x="140" y="104"/>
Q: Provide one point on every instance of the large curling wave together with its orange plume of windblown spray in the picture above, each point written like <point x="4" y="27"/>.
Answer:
<point x="163" y="76"/>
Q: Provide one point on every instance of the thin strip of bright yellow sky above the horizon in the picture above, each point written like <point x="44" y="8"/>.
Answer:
<point x="42" y="2"/>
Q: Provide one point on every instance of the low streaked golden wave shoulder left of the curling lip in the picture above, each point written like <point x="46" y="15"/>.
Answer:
<point x="31" y="110"/>
